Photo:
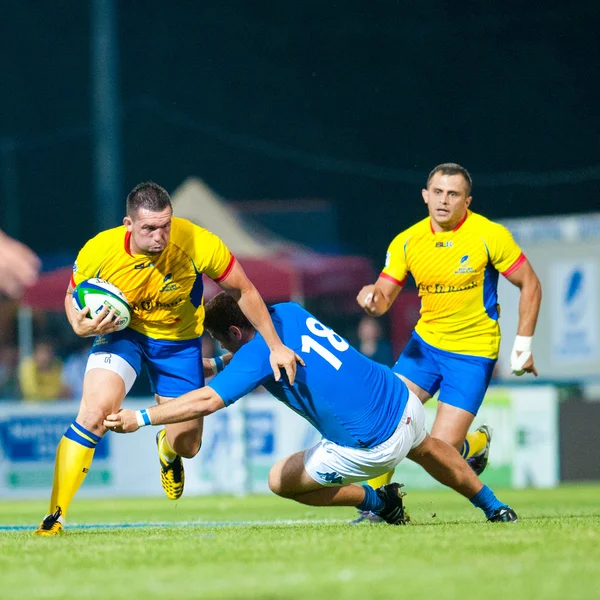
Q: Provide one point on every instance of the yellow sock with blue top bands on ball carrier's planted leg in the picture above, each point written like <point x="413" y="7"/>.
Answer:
<point x="73" y="459"/>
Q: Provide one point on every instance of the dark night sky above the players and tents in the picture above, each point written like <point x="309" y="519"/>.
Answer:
<point x="281" y="100"/>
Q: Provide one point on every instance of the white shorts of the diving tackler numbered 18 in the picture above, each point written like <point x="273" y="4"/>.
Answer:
<point x="331" y="465"/>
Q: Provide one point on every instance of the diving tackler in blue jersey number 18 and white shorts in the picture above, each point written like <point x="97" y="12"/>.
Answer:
<point x="367" y="416"/>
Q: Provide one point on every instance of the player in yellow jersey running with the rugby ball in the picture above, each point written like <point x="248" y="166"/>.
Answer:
<point x="157" y="260"/>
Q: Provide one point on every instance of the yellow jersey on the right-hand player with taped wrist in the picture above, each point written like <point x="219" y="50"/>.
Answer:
<point x="456" y="273"/>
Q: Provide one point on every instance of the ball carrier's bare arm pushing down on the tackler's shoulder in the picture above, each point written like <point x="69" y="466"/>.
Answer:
<point x="239" y="287"/>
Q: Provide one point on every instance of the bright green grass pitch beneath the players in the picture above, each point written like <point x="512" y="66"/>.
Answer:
<point x="553" y="552"/>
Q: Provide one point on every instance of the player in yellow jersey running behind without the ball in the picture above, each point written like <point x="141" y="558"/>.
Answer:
<point x="455" y="257"/>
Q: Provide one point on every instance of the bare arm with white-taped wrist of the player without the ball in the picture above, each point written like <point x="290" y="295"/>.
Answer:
<point x="529" y="307"/>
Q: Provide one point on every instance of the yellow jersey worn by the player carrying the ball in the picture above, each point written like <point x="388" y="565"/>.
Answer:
<point x="165" y="291"/>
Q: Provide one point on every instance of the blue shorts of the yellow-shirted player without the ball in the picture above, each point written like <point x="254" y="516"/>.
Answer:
<point x="461" y="379"/>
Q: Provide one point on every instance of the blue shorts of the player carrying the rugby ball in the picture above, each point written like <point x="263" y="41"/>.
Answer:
<point x="174" y="367"/>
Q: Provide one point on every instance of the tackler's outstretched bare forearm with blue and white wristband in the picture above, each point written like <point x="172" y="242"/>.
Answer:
<point x="190" y="406"/>
